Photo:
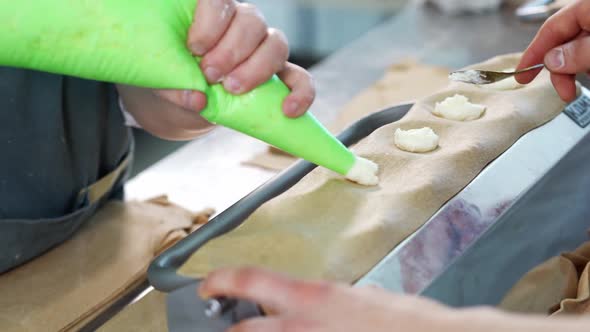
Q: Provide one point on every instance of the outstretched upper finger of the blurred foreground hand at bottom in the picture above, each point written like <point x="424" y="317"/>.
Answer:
<point x="269" y="290"/>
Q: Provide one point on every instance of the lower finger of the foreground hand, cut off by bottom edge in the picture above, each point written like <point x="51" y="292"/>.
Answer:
<point x="273" y="324"/>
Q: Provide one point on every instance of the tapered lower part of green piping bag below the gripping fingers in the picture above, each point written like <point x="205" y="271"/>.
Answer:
<point x="259" y="114"/>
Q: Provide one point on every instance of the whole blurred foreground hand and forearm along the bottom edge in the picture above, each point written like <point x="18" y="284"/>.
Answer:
<point x="297" y="306"/>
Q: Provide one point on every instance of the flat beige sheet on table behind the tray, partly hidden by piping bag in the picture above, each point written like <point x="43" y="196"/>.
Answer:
<point x="403" y="82"/>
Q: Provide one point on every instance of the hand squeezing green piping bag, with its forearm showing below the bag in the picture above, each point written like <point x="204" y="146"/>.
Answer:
<point x="239" y="50"/>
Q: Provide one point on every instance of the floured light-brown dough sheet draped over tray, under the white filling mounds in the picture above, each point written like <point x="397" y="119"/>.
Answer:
<point x="328" y="228"/>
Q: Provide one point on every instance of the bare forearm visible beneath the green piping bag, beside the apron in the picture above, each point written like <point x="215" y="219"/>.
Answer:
<point x="161" y="117"/>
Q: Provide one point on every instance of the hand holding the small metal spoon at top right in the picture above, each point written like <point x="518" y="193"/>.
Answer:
<point x="563" y="44"/>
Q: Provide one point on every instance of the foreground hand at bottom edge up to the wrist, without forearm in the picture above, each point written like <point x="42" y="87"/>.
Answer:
<point x="319" y="306"/>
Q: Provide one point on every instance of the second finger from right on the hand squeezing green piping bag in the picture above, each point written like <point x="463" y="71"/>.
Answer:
<point x="268" y="59"/>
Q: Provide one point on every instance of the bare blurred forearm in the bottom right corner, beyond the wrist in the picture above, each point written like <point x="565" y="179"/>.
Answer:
<point x="490" y="320"/>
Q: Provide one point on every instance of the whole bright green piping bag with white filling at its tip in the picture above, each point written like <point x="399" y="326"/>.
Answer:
<point x="143" y="43"/>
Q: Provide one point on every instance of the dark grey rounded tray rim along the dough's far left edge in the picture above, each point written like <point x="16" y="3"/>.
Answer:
<point x="162" y="273"/>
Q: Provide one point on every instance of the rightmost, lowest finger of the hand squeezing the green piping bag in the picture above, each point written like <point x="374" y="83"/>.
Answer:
<point x="302" y="90"/>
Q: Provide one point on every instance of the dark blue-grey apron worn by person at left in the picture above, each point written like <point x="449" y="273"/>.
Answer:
<point x="64" y="151"/>
